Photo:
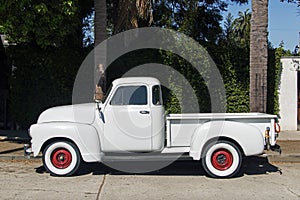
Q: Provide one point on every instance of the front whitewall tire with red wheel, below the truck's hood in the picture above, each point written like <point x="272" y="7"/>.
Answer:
<point x="61" y="158"/>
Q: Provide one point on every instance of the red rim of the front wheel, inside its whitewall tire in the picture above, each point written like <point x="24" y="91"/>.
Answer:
<point x="61" y="158"/>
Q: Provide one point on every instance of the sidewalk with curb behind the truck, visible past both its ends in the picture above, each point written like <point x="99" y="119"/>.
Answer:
<point x="12" y="146"/>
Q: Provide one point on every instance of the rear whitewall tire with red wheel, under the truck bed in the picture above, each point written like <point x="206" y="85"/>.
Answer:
<point x="221" y="159"/>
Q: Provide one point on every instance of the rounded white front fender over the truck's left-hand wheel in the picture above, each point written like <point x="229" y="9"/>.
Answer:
<point x="84" y="136"/>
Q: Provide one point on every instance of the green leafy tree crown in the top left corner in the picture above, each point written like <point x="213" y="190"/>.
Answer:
<point x="40" y="21"/>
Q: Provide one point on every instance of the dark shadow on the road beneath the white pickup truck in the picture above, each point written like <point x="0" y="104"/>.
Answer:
<point x="251" y="166"/>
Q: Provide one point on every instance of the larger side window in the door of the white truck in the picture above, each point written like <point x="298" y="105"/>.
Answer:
<point x="130" y="95"/>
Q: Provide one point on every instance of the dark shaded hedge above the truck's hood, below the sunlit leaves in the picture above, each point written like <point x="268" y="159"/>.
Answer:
<point x="42" y="79"/>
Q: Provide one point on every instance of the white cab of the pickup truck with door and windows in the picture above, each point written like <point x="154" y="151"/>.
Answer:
<point x="133" y="113"/>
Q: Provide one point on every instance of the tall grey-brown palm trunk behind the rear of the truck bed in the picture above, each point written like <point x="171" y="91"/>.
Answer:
<point x="258" y="56"/>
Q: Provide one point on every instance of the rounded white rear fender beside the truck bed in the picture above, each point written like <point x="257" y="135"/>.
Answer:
<point x="247" y="136"/>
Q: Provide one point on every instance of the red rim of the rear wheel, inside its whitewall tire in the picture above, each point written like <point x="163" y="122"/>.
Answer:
<point x="222" y="159"/>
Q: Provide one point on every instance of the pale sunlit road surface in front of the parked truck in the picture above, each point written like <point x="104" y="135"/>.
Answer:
<point x="182" y="180"/>
